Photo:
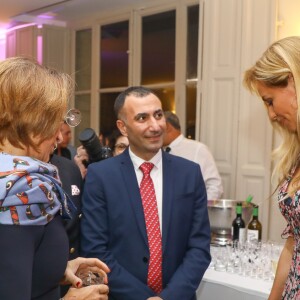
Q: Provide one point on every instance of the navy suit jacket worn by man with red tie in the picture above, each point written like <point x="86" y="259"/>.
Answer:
<point x="113" y="227"/>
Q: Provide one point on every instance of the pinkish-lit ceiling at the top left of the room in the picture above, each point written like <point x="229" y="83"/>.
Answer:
<point x="59" y="12"/>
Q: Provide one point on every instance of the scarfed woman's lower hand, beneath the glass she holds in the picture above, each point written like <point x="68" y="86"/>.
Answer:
<point x="92" y="292"/>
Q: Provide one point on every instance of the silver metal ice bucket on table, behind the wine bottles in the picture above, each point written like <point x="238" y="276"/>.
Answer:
<point x="221" y="214"/>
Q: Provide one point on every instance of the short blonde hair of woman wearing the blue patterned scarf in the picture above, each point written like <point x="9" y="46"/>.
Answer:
<point x="33" y="101"/>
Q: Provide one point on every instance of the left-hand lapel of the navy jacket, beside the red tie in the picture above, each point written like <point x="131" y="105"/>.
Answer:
<point x="133" y="192"/>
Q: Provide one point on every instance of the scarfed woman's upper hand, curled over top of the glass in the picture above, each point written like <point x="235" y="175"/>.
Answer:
<point x="79" y="264"/>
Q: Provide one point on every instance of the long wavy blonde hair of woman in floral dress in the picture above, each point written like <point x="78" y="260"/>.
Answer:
<point x="280" y="61"/>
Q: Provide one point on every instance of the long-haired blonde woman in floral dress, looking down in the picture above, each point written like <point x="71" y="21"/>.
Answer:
<point x="275" y="77"/>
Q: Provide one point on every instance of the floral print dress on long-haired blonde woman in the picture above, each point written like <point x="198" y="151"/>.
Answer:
<point x="290" y="209"/>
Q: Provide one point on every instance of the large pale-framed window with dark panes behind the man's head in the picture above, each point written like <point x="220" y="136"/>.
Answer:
<point x="141" y="50"/>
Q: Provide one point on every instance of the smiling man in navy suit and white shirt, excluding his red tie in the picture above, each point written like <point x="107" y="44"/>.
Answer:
<point x="113" y="223"/>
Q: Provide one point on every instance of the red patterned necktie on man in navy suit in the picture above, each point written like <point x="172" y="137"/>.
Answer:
<point x="153" y="229"/>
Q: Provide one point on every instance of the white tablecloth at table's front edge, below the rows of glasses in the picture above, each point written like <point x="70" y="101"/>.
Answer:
<point x="222" y="285"/>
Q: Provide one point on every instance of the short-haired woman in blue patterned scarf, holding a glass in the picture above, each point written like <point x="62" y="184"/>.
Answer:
<point x="34" y="252"/>
